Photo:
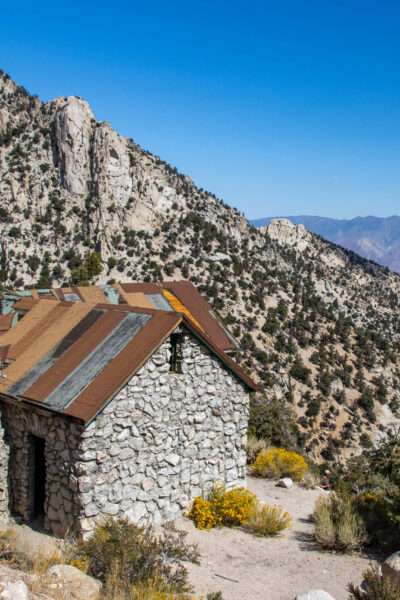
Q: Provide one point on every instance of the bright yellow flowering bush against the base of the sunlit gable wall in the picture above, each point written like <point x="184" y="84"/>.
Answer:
<point x="222" y="507"/>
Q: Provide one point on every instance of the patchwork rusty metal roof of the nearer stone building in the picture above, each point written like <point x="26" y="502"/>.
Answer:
<point x="72" y="357"/>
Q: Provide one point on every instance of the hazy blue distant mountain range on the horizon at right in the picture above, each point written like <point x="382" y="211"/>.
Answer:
<point x="375" y="238"/>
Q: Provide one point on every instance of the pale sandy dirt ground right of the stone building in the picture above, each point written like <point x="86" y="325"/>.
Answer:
<point x="244" y="567"/>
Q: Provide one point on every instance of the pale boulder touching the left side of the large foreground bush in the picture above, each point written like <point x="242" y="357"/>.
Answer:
<point x="78" y="585"/>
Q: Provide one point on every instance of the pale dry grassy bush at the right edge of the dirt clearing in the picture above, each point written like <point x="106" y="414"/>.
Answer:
<point x="338" y="526"/>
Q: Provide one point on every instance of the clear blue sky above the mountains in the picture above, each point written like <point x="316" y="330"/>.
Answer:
<point x="285" y="107"/>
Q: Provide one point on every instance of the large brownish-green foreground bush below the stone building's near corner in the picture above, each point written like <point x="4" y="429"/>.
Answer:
<point x="121" y="553"/>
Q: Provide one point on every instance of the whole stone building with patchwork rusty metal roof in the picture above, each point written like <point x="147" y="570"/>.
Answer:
<point x="115" y="410"/>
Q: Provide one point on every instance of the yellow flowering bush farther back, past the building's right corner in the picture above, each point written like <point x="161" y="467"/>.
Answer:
<point x="278" y="462"/>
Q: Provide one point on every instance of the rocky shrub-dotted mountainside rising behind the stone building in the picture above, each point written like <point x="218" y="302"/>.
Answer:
<point x="319" y="326"/>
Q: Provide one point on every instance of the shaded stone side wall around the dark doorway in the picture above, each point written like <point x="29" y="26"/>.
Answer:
<point x="62" y="438"/>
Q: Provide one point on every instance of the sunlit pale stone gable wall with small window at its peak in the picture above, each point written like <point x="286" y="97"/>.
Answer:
<point x="164" y="439"/>
